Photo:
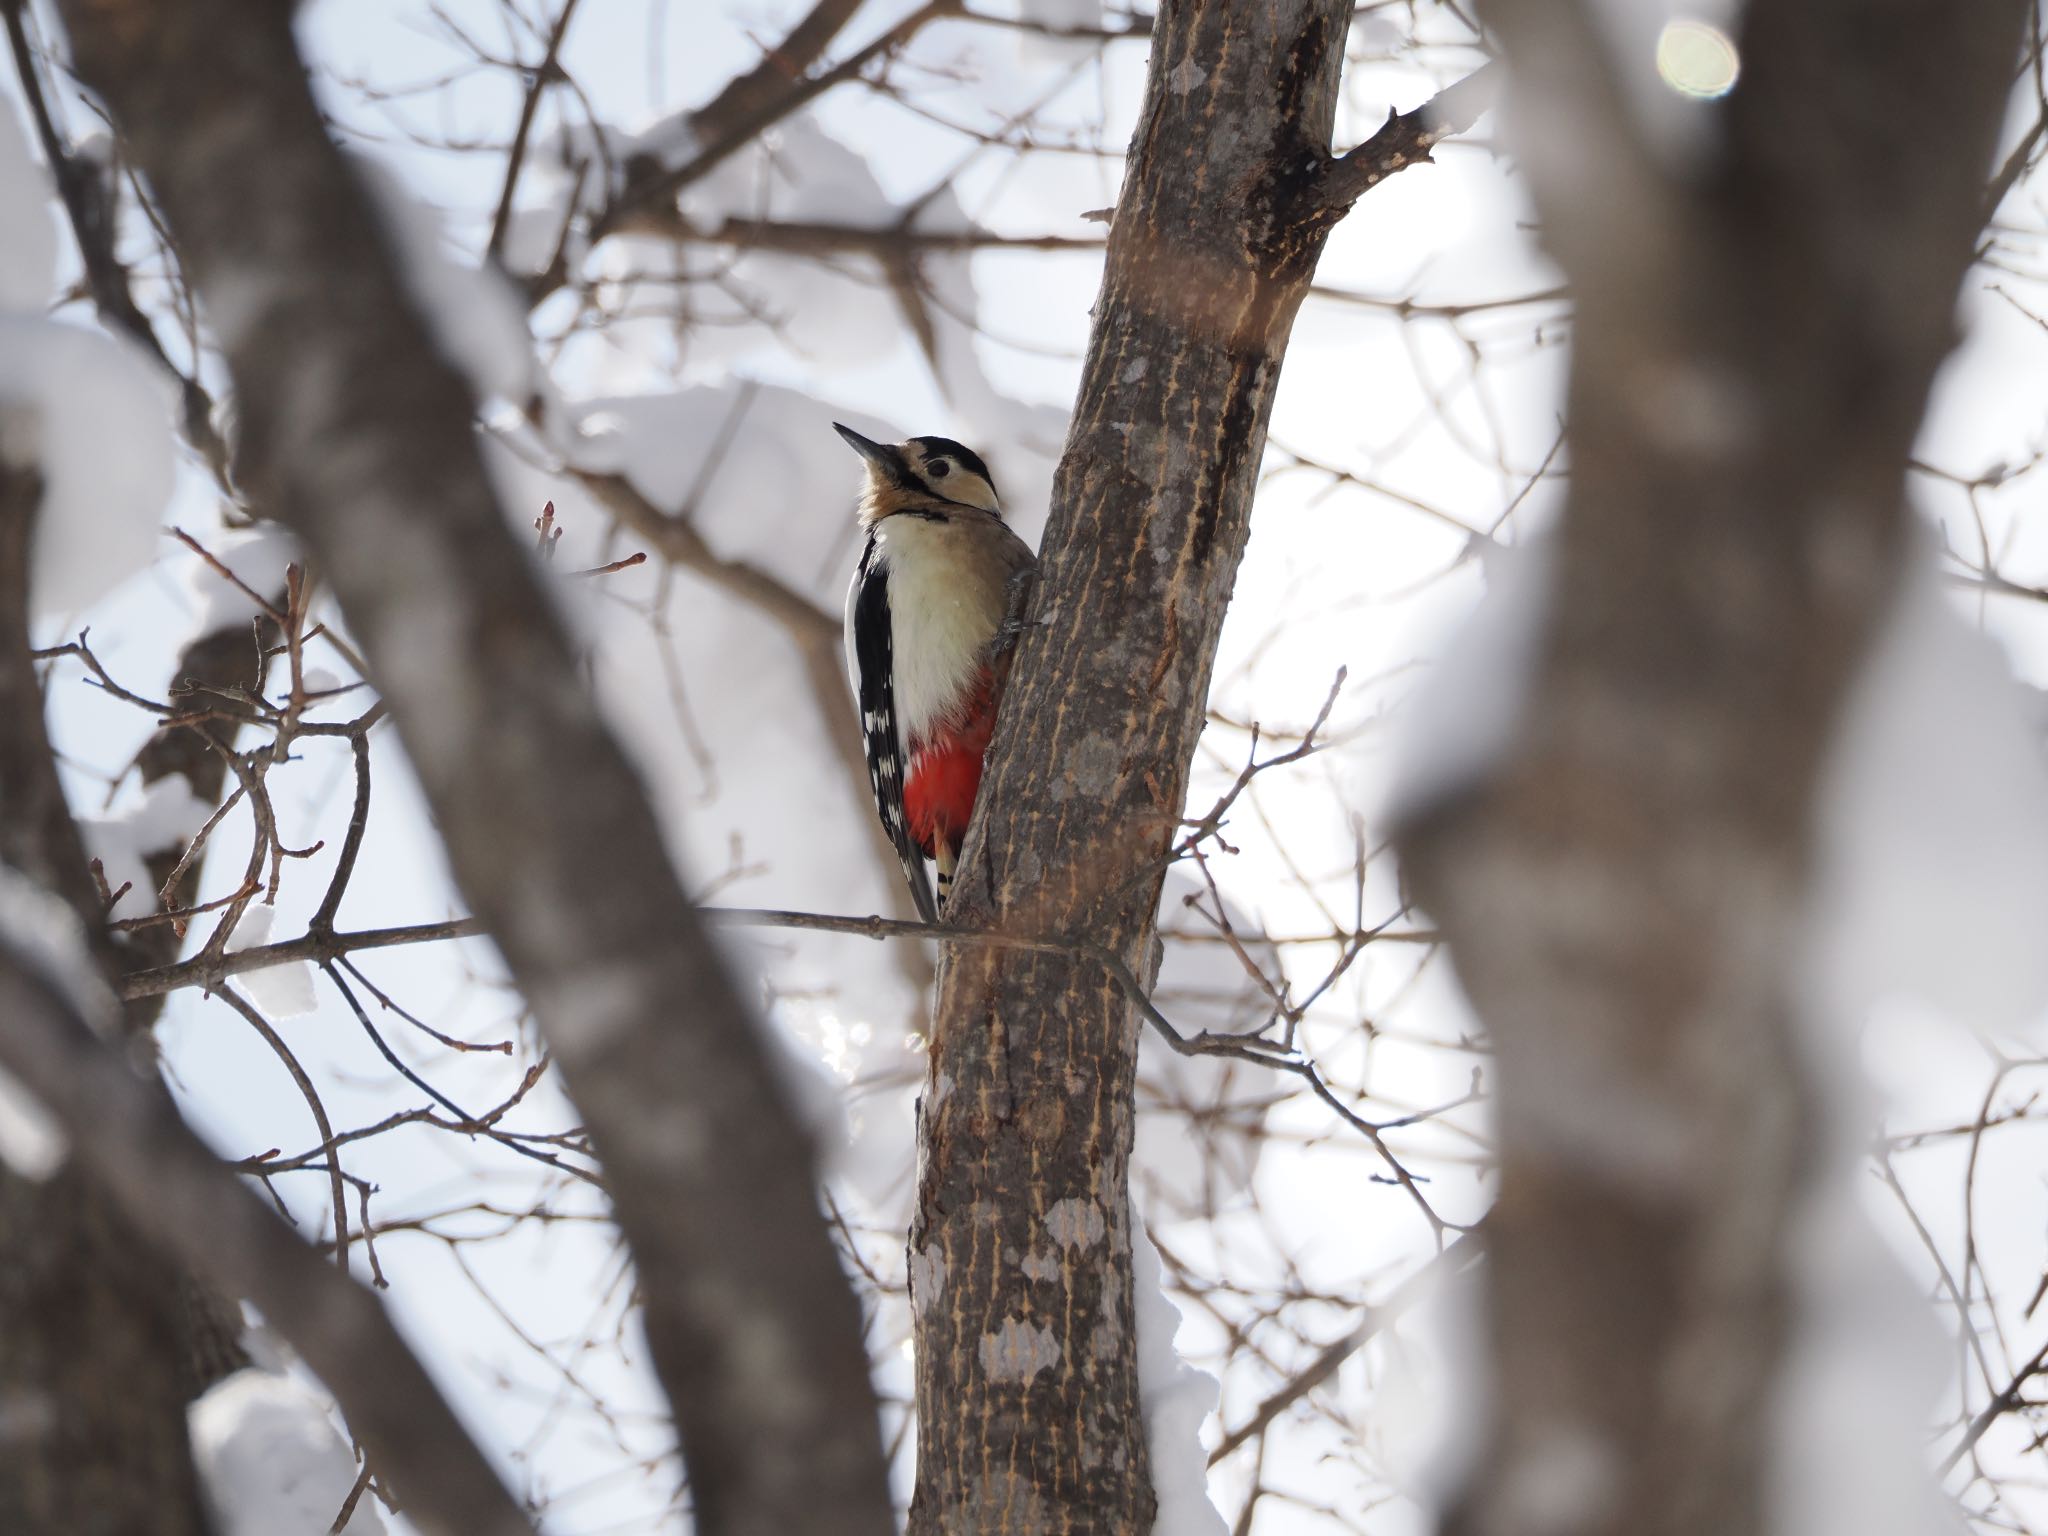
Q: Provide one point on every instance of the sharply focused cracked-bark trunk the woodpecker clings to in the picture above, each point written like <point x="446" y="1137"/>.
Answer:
<point x="1021" y="1246"/>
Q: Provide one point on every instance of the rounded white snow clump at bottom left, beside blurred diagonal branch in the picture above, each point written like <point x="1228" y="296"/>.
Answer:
<point x="271" y="1461"/>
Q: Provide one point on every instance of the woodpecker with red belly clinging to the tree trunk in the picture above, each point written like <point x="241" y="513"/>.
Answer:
<point x="929" y="628"/>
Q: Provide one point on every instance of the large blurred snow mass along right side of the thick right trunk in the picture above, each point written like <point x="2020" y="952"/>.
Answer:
<point x="1932" y="873"/>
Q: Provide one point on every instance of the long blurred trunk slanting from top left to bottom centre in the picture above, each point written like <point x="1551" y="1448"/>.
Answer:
<point x="361" y="435"/>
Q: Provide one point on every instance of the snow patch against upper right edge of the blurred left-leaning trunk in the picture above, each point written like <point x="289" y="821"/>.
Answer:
<point x="476" y="316"/>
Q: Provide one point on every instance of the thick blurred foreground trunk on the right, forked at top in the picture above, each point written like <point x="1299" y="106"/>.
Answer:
<point x="1623" y="890"/>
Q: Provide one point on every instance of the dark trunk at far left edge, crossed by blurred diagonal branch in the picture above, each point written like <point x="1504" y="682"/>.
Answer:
<point x="93" y="1340"/>
